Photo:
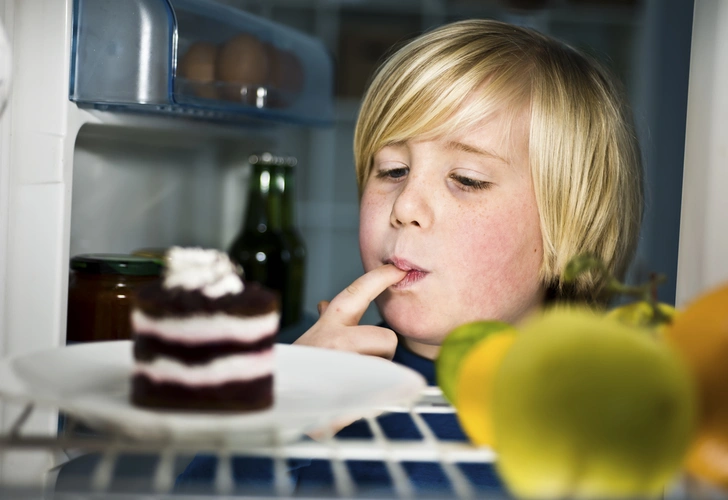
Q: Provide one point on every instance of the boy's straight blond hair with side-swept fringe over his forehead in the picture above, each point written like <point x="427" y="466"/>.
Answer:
<point x="584" y="158"/>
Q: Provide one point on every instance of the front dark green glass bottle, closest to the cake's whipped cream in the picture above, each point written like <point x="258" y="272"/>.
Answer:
<point x="259" y="246"/>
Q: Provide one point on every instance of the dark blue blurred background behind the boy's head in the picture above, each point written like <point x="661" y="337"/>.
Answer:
<point x="646" y="43"/>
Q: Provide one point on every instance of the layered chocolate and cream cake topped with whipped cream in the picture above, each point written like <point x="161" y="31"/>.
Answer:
<point x="203" y="340"/>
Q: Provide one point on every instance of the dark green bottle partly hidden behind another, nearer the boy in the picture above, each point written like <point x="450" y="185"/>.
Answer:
<point x="294" y="247"/>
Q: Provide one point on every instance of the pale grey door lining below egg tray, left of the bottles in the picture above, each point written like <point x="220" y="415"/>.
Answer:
<point x="135" y="189"/>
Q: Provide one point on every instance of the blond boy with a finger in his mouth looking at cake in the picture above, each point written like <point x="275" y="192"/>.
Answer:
<point x="487" y="156"/>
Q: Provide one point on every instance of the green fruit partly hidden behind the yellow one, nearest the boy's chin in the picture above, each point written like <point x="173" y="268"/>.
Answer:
<point x="454" y="348"/>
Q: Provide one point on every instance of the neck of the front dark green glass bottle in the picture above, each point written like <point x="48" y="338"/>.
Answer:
<point x="263" y="212"/>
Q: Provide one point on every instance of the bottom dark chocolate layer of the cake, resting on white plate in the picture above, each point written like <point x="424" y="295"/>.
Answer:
<point x="256" y="394"/>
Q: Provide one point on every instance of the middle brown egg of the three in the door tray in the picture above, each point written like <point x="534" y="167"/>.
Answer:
<point x="243" y="65"/>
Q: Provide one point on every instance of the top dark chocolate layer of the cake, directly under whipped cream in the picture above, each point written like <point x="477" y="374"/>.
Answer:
<point x="156" y="301"/>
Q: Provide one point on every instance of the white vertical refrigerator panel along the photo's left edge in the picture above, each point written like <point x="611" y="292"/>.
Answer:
<point x="40" y="127"/>
